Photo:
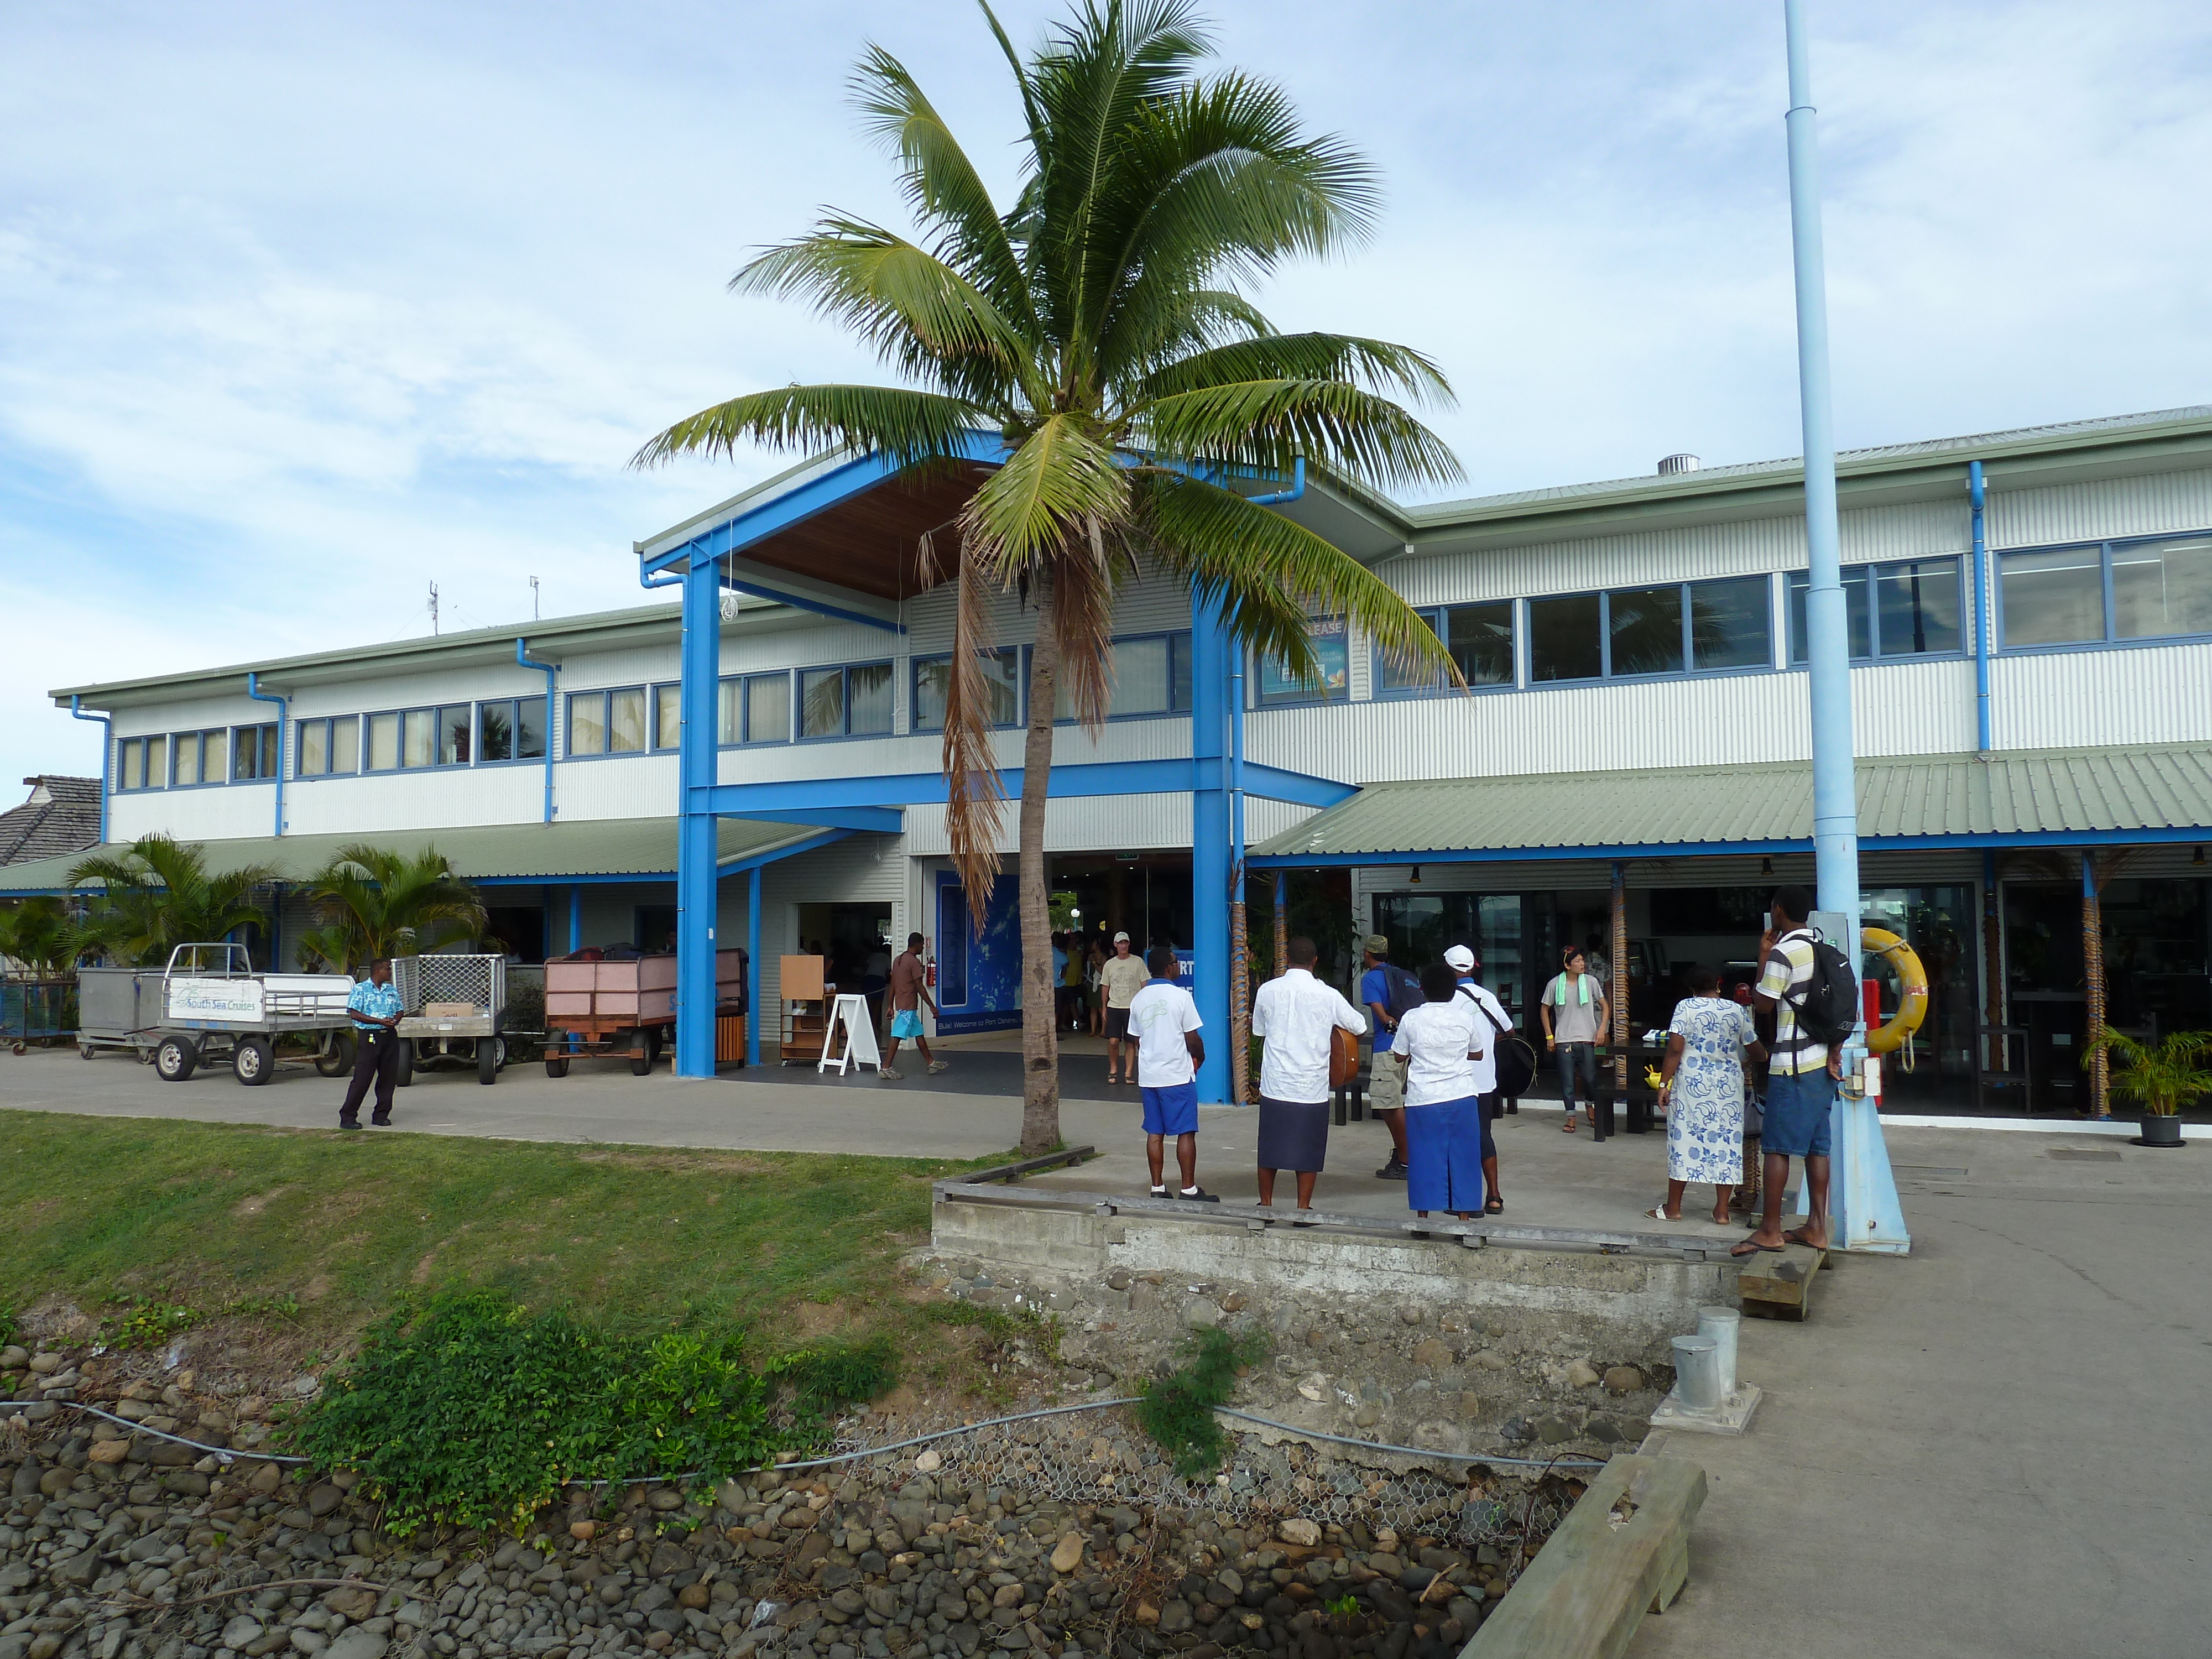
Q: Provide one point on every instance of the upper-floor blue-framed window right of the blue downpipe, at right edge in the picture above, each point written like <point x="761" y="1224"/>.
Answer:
<point x="2151" y="587"/>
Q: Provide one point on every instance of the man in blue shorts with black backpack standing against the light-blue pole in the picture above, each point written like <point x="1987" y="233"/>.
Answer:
<point x="1811" y="988"/>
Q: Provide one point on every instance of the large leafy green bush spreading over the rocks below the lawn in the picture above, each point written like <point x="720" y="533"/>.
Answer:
<point x="472" y="1408"/>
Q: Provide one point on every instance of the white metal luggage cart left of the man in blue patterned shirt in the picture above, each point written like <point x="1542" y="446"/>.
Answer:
<point x="216" y="1008"/>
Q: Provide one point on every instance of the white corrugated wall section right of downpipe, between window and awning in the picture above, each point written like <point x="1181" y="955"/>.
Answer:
<point x="2103" y="698"/>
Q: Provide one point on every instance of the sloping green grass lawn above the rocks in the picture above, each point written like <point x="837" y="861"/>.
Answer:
<point x="634" y="1240"/>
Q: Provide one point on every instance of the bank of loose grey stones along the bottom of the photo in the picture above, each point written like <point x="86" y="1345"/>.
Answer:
<point x="116" y="1545"/>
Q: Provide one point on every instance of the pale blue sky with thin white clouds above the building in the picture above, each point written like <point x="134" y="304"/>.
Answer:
<point x="311" y="306"/>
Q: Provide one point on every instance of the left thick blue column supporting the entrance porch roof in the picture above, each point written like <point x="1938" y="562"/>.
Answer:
<point x="696" y="822"/>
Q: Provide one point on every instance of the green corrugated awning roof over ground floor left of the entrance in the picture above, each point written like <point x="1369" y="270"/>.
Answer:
<point x="643" y="848"/>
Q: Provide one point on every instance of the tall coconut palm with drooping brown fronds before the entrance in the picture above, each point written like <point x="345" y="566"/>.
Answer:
<point x="1100" y="328"/>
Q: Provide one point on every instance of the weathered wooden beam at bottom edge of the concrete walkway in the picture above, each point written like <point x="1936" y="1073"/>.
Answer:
<point x="1620" y="1554"/>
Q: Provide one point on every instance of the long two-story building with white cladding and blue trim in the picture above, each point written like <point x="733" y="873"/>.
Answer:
<point x="2032" y="632"/>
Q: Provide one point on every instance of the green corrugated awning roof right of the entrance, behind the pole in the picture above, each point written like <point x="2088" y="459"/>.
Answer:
<point x="1908" y="797"/>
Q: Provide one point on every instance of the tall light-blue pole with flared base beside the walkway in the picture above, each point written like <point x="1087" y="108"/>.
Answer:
<point x="1864" y="1196"/>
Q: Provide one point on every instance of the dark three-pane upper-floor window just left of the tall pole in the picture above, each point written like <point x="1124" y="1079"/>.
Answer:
<point x="1722" y="625"/>
